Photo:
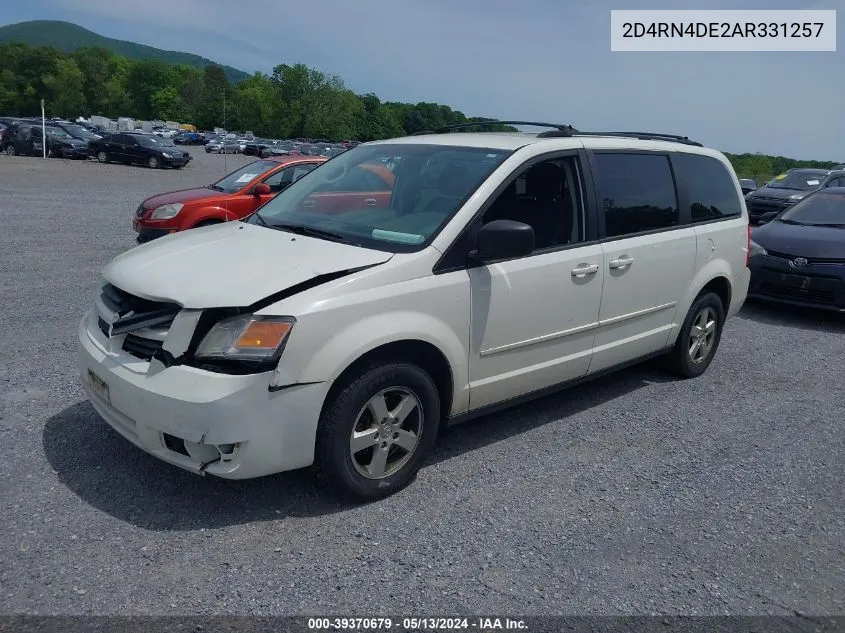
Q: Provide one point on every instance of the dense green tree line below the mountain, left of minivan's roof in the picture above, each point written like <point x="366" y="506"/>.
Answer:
<point x="293" y="101"/>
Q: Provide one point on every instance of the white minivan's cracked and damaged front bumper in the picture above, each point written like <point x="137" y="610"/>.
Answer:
<point x="232" y="426"/>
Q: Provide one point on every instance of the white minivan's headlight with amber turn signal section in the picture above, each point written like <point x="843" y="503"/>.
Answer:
<point x="246" y="337"/>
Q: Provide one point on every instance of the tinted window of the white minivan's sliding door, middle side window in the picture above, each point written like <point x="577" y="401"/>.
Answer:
<point x="637" y="192"/>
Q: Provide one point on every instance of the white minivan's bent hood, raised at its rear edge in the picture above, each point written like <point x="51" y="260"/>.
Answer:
<point x="230" y="265"/>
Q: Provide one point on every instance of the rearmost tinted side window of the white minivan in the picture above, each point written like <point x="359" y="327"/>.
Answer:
<point x="711" y="189"/>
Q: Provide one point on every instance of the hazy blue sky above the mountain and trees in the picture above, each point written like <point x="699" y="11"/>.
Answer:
<point x="549" y="61"/>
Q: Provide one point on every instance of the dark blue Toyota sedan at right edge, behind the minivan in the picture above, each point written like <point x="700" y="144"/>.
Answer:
<point x="798" y="257"/>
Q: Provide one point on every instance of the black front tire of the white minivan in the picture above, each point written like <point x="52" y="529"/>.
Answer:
<point x="333" y="459"/>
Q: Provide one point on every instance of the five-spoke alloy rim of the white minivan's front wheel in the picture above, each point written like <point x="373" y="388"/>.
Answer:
<point x="386" y="432"/>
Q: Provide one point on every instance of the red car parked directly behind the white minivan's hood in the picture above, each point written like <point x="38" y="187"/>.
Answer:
<point x="233" y="197"/>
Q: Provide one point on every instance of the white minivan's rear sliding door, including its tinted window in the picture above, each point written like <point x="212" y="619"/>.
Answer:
<point x="648" y="257"/>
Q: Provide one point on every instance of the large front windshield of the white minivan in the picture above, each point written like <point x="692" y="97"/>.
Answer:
<point x="390" y="197"/>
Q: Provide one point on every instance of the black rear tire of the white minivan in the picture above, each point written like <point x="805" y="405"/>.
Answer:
<point x="681" y="358"/>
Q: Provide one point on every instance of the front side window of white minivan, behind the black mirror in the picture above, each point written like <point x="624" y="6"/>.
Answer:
<point x="548" y="197"/>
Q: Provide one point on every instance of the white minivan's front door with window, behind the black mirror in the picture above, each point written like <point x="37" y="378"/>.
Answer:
<point x="534" y="318"/>
